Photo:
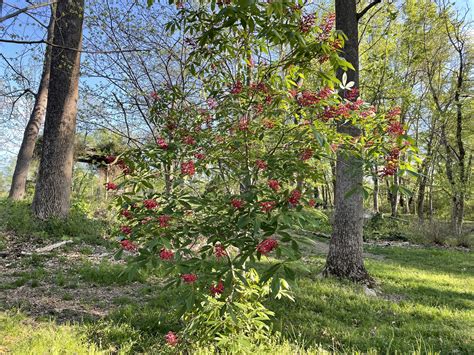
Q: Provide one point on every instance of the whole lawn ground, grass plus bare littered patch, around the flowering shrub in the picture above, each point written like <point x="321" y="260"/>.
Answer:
<point x="77" y="300"/>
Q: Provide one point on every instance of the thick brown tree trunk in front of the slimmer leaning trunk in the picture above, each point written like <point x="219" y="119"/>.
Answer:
<point x="53" y="187"/>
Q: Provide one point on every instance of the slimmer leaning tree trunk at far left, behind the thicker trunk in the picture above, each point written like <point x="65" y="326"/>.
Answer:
<point x="25" y="155"/>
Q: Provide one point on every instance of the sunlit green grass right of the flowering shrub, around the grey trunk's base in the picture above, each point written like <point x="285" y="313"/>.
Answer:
<point x="421" y="309"/>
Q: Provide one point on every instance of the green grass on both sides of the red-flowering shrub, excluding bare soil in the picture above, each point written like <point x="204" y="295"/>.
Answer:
<point x="425" y="304"/>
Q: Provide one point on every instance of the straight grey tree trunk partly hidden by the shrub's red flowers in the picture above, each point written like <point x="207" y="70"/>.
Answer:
<point x="345" y="248"/>
